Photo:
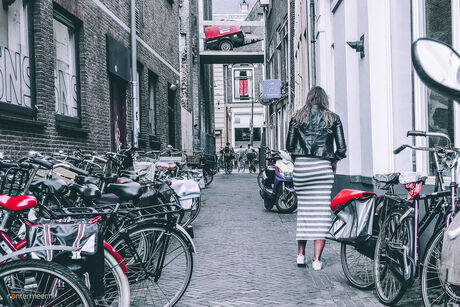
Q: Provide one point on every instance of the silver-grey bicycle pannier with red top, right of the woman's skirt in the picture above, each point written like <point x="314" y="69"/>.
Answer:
<point x="353" y="216"/>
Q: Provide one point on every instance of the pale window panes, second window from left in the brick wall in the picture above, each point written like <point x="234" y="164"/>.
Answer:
<point x="65" y="68"/>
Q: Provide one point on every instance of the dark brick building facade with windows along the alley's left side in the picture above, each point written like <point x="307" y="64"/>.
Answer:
<point x="65" y="75"/>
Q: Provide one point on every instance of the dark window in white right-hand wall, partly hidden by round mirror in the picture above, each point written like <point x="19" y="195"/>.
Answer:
<point x="438" y="17"/>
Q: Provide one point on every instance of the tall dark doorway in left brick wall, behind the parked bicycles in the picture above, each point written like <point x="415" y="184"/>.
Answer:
<point x="118" y="129"/>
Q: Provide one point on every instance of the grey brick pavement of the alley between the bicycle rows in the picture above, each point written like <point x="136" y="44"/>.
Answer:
<point x="246" y="256"/>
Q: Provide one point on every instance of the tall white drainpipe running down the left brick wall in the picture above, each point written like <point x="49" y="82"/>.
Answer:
<point x="134" y="82"/>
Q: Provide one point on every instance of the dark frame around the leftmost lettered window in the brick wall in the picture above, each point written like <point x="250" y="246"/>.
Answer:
<point x="12" y="111"/>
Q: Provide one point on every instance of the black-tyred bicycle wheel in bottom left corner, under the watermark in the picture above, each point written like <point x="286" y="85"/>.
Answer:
<point x="41" y="283"/>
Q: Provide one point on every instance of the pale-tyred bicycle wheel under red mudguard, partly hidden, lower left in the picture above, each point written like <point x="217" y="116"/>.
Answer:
<point x="116" y="283"/>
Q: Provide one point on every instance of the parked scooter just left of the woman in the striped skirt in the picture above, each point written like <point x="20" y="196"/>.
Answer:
<point x="276" y="183"/>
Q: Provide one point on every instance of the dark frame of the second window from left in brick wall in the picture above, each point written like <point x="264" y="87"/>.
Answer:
<point x="62" y="17"/>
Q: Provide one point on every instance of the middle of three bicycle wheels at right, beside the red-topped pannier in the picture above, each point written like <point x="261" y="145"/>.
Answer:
<point x="408" y="237"/>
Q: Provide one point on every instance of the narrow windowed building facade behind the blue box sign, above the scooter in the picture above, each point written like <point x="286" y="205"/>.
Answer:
<point x="279" y="64"/>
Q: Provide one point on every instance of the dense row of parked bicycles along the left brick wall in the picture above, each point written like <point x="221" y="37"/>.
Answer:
<point x="84" y="229"/>
